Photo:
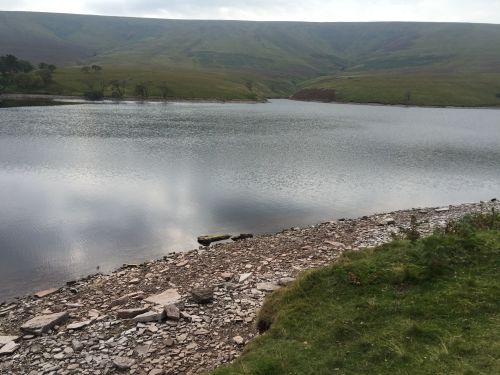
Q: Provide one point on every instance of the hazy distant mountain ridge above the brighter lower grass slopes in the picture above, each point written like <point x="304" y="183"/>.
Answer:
<point x="289" y="53"/>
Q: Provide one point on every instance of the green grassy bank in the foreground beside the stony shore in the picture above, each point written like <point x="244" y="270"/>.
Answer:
<point x="431" y="306"/>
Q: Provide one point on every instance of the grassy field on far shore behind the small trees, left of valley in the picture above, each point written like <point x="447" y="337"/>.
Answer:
<point x="183" y="83"/>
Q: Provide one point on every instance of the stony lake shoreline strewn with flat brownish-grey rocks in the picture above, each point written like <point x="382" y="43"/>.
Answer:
<point x="189" y="312"/>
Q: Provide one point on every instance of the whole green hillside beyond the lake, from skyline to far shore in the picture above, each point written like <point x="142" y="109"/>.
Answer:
<point x="234" y="59"/>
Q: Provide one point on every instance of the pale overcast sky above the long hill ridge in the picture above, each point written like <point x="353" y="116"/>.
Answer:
<point x="487" y="11"/>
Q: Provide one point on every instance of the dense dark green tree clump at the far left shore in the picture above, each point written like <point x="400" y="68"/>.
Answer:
<point x="23" y="74"/>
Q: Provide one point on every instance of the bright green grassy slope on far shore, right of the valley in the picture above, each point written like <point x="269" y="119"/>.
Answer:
<point x="420" y="89"/>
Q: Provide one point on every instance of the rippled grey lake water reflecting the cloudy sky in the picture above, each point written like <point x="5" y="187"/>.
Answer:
<point x="100" y="185"/>
